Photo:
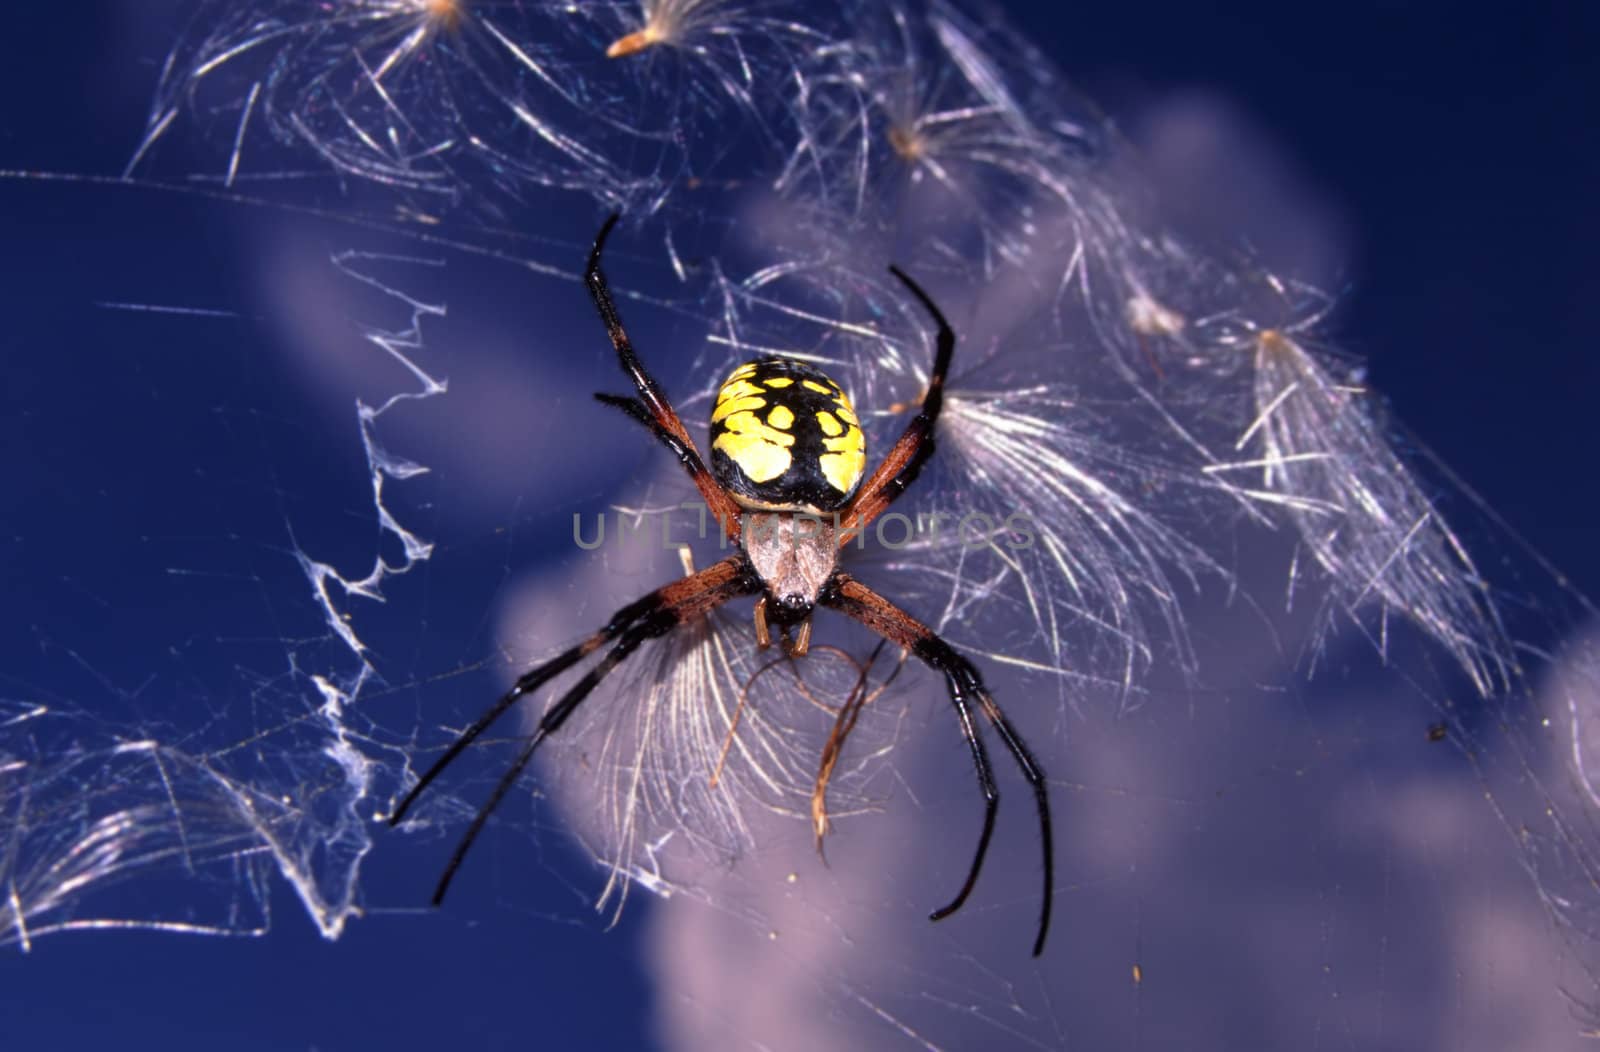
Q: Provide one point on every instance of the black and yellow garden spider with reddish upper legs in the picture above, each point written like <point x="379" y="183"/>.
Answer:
<point x="786" y="487"/>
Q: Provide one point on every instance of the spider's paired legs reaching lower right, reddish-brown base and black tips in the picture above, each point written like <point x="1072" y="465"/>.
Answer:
<point x="855" y="600"/>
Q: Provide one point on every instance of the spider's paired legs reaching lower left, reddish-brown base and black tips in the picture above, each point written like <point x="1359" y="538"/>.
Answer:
<point x="647" y="618"/>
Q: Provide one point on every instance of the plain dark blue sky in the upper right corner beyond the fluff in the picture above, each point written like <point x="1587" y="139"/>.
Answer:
<point x="1458" y="143"/>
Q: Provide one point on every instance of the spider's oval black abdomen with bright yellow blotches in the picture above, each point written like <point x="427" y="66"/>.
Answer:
<point x="785" y="439"/>
